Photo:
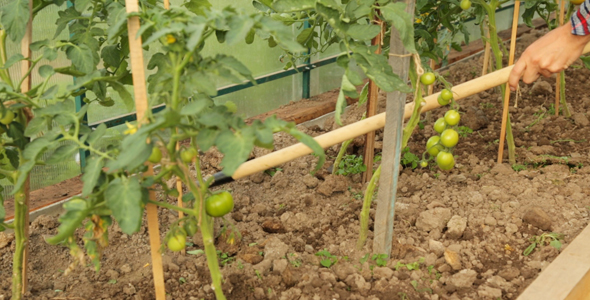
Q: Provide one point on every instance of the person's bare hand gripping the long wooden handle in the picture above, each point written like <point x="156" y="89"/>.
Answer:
<point x="550" y="54"/>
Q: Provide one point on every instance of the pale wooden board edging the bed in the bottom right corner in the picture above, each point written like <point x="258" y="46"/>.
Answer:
<point x="567" y="277"/>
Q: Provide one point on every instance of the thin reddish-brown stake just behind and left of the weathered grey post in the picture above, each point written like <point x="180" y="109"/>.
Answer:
<point x="372" y="103"/>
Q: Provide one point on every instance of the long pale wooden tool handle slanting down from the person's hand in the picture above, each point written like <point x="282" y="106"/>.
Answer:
<point x="342" y="134"/>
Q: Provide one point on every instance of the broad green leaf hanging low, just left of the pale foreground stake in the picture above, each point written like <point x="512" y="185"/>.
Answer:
<point x="124" y="197"/>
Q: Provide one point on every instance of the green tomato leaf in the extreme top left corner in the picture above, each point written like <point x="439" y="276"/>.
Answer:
<point x="15" y="16"/>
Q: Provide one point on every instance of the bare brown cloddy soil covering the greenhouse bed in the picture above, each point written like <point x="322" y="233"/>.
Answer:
<point x="457" y="235"/>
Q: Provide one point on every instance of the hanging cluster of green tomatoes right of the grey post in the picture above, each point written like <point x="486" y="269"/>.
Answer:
<point x="440" y="146"/>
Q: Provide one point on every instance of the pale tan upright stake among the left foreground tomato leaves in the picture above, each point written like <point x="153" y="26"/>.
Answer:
<point x="141" y="105"/>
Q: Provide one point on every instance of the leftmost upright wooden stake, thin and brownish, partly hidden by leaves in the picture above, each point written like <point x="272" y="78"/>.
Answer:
<point x="25" y="87"/>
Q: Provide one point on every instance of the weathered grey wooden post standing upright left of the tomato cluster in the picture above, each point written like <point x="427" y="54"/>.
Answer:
<point x="391" y="146"/>
